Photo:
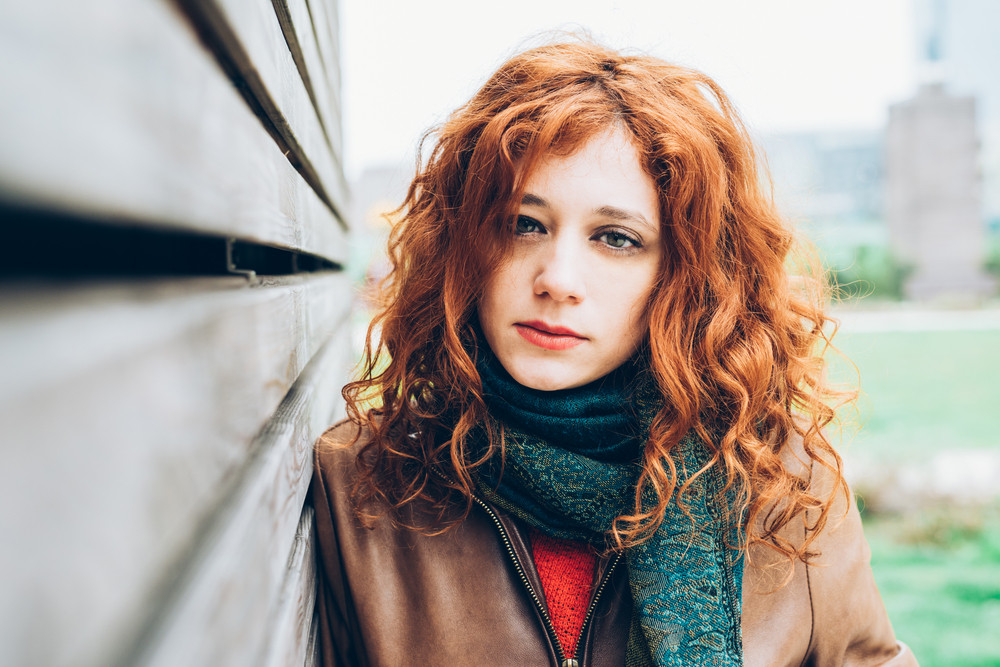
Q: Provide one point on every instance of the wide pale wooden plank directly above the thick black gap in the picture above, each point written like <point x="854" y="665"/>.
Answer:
<point x="116" y="111"/>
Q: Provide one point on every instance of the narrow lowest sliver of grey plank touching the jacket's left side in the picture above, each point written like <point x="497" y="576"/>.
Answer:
<point x="290" y="628"/>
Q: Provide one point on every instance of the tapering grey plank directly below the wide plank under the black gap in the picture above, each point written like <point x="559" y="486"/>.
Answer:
<point x="234" y="585"/>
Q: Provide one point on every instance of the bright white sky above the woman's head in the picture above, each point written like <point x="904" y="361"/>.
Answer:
<point x="787" y="64"/>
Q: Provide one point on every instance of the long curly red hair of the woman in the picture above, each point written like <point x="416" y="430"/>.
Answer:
<point x="736" y="342"/>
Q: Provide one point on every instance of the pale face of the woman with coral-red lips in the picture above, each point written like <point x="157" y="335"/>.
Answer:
<point x="568" y="305"/>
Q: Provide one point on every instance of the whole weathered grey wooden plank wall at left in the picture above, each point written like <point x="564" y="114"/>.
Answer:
<point x="173" y="326"/>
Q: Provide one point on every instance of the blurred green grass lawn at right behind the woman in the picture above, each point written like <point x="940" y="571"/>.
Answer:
<point x="938" y="570"/>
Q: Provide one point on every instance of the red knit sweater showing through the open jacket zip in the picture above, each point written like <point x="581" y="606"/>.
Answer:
<point x="567" y="572"/>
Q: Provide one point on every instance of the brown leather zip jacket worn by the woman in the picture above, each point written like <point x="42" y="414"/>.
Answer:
<point x="472" y="596"/>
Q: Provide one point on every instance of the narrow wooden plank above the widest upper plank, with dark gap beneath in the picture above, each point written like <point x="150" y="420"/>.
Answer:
<point x="246" y="35"/>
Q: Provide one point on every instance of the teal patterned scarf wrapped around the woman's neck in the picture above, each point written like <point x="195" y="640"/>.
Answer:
<point x="570" y="468"/>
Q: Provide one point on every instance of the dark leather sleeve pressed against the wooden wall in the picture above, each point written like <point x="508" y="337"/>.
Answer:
<point x="340" y="644"/>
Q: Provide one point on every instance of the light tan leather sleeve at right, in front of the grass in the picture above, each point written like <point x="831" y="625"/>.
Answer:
<point x="850" y="626"/>
